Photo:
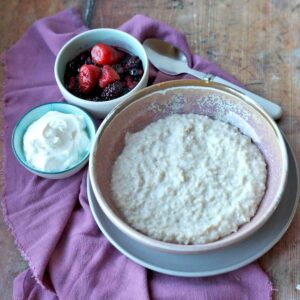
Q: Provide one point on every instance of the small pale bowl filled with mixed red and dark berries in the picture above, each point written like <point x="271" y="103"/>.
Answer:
<point x="100" y="68"/>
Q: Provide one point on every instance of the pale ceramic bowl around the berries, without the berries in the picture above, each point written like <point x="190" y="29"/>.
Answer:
<point x="87" y="40"/>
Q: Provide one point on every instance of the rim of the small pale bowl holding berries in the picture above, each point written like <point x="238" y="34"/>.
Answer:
<point x="101" y="103"/>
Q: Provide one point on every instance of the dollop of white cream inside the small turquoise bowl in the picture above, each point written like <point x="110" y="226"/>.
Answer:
<point x="56" y="141"/>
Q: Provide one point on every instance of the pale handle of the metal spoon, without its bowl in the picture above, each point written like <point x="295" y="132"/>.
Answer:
<point x="273" y="109"/>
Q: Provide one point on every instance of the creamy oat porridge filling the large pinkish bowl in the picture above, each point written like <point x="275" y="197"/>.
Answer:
<point x="188" y="179"/>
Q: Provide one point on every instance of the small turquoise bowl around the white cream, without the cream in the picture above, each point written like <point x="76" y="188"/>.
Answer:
<point x="33" y="115"/>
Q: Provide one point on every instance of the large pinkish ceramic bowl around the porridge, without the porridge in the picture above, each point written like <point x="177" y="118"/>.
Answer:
<point x="188" y="96"/>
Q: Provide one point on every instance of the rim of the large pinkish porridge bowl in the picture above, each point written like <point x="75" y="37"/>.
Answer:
<point x="173" y="247"/>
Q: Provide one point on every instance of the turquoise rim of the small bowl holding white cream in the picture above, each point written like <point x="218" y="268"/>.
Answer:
<point x="36" y="171"/>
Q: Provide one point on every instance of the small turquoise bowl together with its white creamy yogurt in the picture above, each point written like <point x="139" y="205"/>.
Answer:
<point x="53" y="140"/>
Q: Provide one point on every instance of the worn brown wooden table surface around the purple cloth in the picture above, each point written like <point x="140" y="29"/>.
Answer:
<point x="258" y="41"/>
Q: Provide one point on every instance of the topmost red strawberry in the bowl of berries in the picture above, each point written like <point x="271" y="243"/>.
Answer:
<point x="105" y="55"/>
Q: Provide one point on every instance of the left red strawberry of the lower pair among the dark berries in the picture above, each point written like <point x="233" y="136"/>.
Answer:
<point x="88" y="77"/>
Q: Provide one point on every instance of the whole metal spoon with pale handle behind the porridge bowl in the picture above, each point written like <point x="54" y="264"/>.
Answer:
<point x="170" y="60"/>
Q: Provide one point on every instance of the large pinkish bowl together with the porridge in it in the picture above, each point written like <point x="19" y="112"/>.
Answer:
<point x="188" y="166"/>
